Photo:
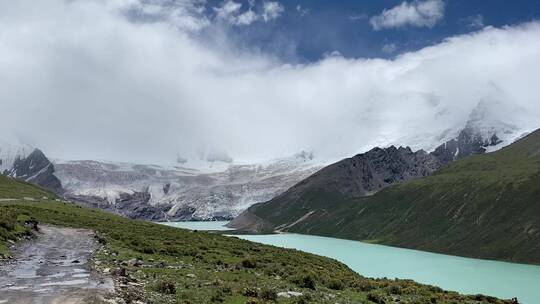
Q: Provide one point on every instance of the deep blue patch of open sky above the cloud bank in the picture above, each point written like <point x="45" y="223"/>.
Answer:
<point x="308" y="29"/>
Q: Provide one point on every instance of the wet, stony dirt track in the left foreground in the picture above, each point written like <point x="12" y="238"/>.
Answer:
<point x="53" y="269"/>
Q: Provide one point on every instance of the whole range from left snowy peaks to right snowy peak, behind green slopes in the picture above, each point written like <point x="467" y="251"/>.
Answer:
<point x="221" y="189"/>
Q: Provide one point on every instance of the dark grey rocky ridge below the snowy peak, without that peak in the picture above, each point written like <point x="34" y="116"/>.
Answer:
<point x="361" y="175"/>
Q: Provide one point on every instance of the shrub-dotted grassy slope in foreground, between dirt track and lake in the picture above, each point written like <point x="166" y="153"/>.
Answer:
<point x="197" y="267"/>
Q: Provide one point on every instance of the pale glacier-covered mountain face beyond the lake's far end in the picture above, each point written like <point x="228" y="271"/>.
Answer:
<point x="178" y="193"/>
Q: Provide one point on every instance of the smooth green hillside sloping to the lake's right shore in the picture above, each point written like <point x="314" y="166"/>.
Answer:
<point x="484" y="206"/>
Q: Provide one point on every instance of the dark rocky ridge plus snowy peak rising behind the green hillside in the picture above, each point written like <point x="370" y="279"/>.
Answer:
<point x="366" y="174"/>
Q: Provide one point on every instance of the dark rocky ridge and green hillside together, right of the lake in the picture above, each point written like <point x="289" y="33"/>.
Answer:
<point x="483" y="205"/>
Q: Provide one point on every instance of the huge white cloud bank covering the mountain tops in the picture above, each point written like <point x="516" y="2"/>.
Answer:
<point x="82" y="81"/>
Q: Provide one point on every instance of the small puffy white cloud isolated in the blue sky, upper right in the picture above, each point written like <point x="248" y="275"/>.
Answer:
<point x="420" y="13"/>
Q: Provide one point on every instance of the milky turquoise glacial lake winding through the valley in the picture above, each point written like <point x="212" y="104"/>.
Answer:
<point x="464" y="275"/>
